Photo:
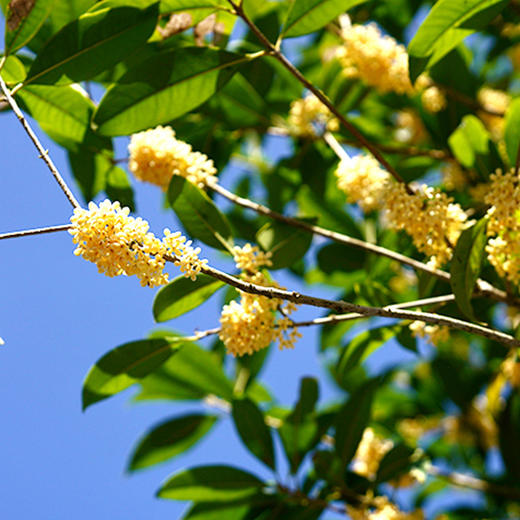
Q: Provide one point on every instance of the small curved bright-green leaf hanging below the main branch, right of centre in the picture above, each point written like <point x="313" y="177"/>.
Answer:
<point x="360" y="347"/>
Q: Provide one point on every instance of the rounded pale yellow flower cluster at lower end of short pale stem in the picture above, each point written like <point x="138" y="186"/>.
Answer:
<point x="363" y="181"/>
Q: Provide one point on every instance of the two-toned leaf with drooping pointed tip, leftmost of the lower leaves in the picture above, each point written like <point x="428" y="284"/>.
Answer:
<point x="124" y="366"/>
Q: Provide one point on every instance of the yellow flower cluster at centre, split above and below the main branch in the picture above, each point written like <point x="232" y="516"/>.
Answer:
<point x="250" y="325"/>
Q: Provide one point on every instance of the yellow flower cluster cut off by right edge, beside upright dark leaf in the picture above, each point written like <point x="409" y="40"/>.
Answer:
<point x="503" y="250"/>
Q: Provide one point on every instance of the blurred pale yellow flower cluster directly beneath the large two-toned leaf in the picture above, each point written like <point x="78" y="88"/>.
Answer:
<point x="156" y="155"/>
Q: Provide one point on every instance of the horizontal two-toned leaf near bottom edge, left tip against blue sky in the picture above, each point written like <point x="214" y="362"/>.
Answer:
<point x="210" y="484"/>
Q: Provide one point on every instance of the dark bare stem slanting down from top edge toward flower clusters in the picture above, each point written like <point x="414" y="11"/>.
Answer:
<point x="318" y="93"/>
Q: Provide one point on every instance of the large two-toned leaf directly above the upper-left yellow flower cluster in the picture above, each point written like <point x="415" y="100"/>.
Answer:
<point x="163" y="88"/>
